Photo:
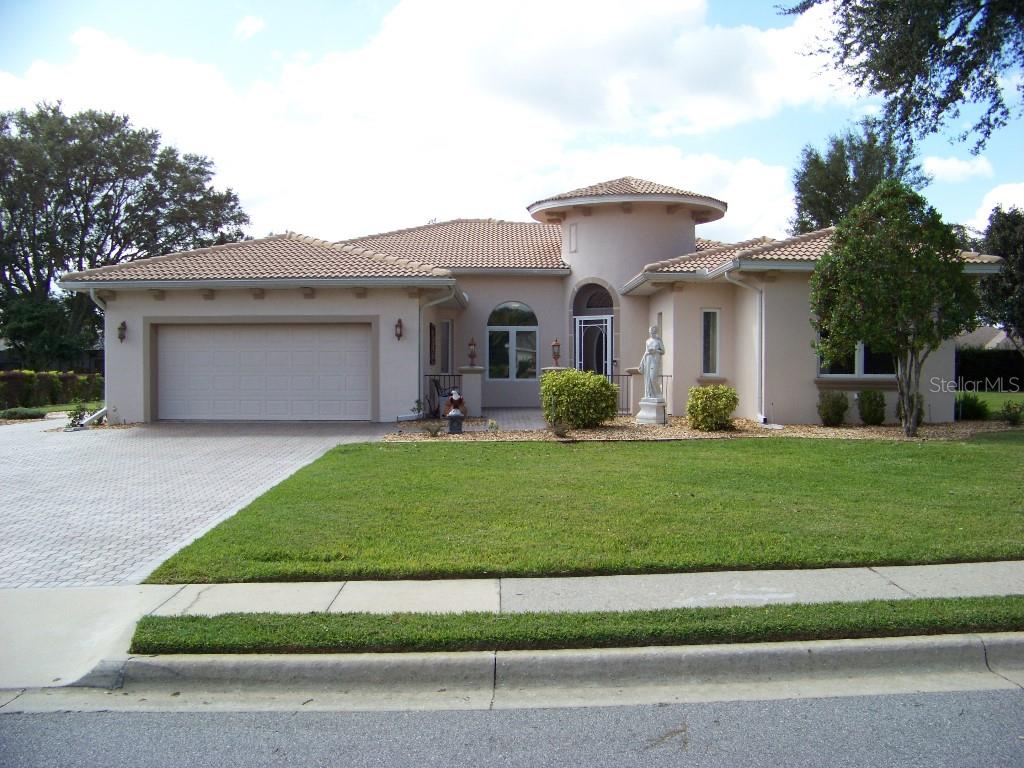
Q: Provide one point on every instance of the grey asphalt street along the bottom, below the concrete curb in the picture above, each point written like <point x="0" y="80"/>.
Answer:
<point x="933" y="731"/>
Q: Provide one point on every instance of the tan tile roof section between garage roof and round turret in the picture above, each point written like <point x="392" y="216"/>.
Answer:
<point x="475" y="244"/>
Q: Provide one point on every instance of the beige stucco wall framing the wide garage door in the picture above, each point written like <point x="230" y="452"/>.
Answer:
<point x="132" y="371"/>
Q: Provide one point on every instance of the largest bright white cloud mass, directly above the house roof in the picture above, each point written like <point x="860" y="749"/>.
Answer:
<point x="475" y="111"/>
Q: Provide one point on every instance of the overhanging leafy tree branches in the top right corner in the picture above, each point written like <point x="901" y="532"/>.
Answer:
<point x="929" y="59"/>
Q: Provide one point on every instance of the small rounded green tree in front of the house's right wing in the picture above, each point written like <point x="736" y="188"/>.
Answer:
<point x="893" y="279"/>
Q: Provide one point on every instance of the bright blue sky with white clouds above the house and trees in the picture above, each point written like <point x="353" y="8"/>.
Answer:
<point x="338" y="119"/>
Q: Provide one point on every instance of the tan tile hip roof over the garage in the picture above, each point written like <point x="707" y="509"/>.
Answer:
<point x="280" y="257"/>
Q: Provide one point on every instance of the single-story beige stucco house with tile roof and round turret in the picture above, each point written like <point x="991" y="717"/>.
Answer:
<point x="290" y="327"/>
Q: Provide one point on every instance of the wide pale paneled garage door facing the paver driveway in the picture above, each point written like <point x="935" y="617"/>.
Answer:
<point x="288" y="372"/>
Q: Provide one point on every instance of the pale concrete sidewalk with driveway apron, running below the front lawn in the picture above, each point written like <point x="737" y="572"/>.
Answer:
<point x="52" y="637"/>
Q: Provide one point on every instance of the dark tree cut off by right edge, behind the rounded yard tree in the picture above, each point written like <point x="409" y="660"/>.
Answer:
<point x="1003" y="294"/>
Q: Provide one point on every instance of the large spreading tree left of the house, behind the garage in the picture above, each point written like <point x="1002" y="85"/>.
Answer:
<point x="83" y="191"/>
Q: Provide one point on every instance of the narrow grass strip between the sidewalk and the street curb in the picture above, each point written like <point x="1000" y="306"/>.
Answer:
<point x="345" y="633"/>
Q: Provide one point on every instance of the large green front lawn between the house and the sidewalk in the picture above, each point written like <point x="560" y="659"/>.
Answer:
<point x="450" y="510"/>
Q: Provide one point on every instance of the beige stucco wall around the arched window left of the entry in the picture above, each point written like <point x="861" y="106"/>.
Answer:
<point x="546" y="296"/>
